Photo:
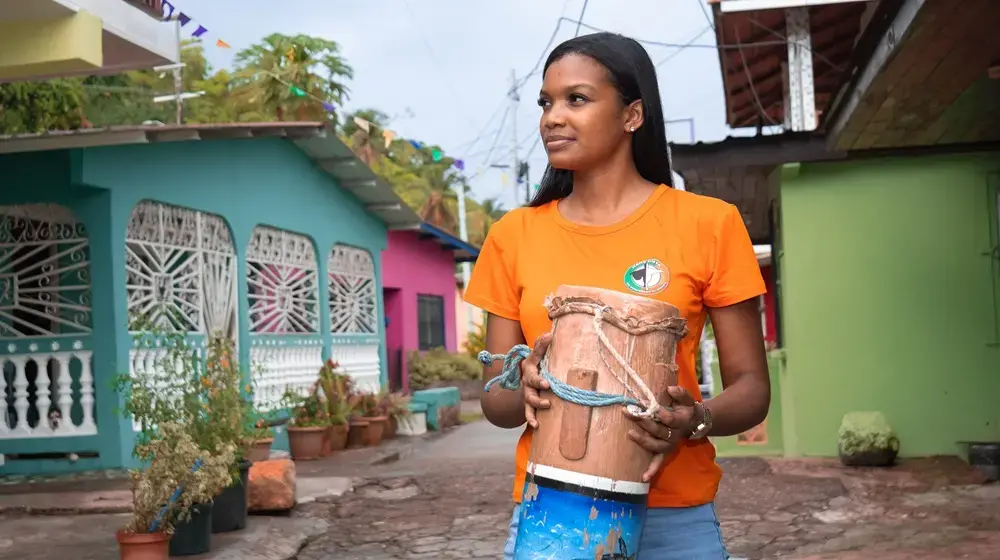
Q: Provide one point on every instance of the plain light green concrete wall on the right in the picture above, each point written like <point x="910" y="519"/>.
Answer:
<point x="889" y="300"/>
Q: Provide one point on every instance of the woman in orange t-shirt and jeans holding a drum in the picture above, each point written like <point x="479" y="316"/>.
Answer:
<point x="607" y="216"/>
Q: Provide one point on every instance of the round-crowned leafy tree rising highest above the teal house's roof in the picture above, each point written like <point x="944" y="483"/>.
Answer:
<point x="267" y="69"/>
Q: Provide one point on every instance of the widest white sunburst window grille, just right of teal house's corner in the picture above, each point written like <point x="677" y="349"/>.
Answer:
<point x="181" y="270"/>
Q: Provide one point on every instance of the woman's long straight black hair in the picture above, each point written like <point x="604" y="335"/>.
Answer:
<point x="633" y="74"/>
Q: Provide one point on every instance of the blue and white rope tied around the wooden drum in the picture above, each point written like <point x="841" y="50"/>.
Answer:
<point x="640" y="401"/>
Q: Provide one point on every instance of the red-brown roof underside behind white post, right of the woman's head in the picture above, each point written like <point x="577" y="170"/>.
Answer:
<point x="753" y="54"/>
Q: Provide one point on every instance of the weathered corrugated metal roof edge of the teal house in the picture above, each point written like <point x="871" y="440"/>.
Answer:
<point x="317" y="140"/>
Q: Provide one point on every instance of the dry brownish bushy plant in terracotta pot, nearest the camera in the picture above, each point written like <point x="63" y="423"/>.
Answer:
<point x="168" y="496"/>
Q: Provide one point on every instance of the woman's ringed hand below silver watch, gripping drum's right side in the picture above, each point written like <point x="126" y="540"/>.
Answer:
<point x="662" y="434"/>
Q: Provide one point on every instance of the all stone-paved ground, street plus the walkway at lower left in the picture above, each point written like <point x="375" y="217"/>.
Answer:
<point x="449" y="497"/>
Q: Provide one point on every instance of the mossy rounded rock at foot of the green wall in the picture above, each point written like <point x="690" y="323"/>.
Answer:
<point x="867" y="440"/>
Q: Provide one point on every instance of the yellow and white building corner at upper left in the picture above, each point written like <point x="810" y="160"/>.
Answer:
<point x="42" y="39"/>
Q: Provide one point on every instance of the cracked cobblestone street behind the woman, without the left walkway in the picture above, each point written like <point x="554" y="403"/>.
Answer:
<point x="768" y="509"/>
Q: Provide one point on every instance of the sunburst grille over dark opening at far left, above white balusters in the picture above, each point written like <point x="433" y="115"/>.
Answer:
<point x="44" y="272"/>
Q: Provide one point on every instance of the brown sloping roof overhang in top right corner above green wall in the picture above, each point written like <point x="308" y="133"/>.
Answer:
<point x="924" y="73"/>
